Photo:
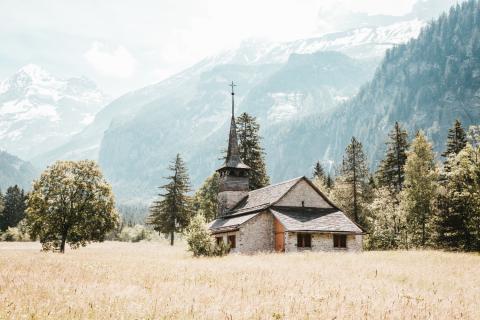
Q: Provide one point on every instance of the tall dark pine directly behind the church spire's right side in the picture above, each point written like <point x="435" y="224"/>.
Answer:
<point x="251" y="152"/>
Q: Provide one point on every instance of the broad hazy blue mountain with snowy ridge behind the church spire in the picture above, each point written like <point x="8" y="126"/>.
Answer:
<point x="135" y="136"/>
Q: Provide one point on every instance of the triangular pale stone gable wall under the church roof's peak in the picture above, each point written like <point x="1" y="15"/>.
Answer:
<point x="303" y="192"/>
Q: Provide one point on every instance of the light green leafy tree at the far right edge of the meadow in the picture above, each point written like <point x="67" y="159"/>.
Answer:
<point x="458" y="222"/>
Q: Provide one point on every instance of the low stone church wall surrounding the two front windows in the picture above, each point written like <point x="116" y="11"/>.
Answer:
<point x="323" y="242"/>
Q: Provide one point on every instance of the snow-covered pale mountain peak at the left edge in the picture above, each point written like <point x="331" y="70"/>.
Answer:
<point x="39" y="112"/>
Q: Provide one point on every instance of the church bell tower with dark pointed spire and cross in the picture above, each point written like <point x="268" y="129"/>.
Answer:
<point x="234" y="173"/>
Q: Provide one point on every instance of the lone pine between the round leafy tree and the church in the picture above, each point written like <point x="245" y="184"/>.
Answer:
<point x="172" y="212"/>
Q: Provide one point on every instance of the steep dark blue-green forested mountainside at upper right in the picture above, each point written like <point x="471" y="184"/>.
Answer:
<point x="425" y="85"/>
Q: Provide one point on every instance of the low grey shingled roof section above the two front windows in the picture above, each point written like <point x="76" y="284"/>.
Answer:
<point x="314" y="219"/>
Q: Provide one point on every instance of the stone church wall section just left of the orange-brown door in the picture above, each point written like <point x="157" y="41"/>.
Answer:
<point x="257" y="234"/>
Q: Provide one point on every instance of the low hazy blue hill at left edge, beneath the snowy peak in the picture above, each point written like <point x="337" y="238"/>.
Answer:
<point x="14" y="171"/>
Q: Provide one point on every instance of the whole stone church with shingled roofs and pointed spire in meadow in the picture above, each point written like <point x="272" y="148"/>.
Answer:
<point x="289" y="216"/>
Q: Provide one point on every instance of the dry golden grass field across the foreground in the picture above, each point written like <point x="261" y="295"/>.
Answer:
<point x="154" y="281"/>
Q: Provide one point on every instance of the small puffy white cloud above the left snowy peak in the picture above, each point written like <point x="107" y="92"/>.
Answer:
<point x="111" y="62"/>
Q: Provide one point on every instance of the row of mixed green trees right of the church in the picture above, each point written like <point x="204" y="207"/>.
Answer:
<point x="411" y="200"/>
